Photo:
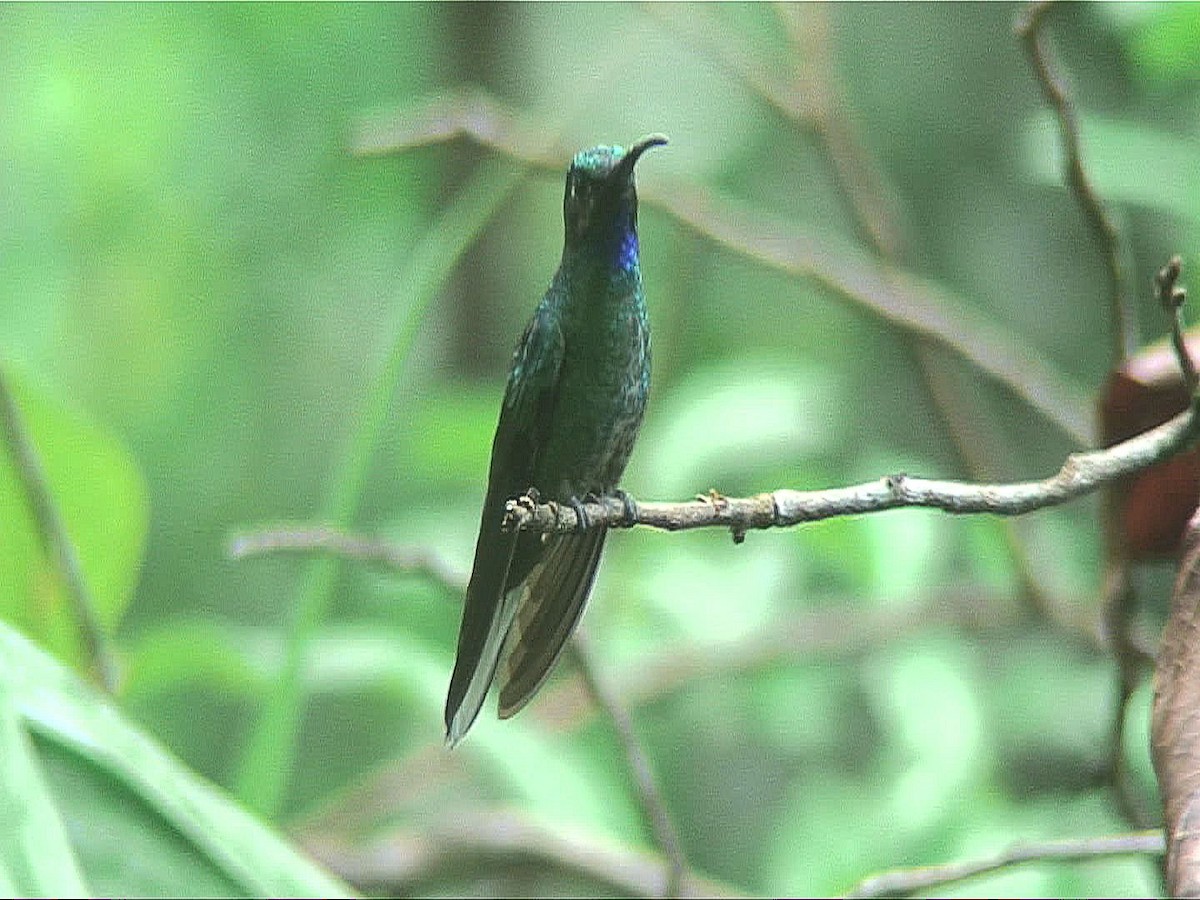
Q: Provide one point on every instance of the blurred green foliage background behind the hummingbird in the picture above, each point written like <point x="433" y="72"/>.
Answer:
<point x="245" y="283"/>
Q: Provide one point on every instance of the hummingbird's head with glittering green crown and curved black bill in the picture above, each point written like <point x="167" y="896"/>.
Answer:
<point x="602" y="202"/>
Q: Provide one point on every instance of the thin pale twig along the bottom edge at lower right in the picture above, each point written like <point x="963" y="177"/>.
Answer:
<point x="910" y="881"/>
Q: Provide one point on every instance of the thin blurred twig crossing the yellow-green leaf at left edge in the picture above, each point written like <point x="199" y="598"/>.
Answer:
<point x="56" y="539"/>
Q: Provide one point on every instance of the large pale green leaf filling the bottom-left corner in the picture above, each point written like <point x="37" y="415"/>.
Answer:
<point x="139" y="821"/>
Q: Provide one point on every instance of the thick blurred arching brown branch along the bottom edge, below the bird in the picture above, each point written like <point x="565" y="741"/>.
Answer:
<point x="401" y="863"/>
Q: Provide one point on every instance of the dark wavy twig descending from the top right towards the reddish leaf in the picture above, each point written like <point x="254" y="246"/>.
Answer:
<point x="1106" y="232"/>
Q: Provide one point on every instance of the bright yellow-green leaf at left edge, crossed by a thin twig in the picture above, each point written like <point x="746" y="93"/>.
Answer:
<point x="103" y="500"/>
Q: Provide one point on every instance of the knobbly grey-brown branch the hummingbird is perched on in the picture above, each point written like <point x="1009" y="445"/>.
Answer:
<point x="1082" y="475"/>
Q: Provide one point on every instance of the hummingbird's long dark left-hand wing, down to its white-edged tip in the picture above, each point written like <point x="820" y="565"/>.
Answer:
<point x="493" y="599"/>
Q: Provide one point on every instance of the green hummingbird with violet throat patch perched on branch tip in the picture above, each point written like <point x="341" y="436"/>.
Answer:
<point x="572" y="412"/>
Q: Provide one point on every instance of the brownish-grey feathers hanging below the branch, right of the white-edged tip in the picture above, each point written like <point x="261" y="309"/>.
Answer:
<point x="551" y="605"/>
